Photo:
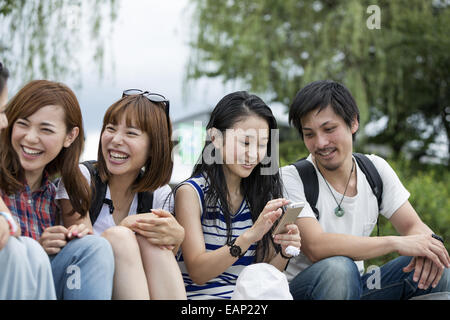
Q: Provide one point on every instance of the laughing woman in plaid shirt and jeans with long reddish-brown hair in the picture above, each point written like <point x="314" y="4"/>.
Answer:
<point x="45" y="138"/>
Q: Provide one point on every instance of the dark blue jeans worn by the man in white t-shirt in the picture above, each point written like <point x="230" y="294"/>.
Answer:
<point x="338" y="278"/>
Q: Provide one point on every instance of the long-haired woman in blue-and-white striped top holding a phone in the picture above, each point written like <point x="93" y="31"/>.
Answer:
<point x="232" y="200"/>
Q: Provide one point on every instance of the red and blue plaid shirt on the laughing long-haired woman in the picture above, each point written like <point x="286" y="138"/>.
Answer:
<point x="36" y="211"/>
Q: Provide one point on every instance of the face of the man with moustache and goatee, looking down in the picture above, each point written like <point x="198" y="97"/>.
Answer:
<point x="328" y="138"/>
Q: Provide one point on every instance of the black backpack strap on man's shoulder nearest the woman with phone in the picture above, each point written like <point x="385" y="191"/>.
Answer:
<point x="308" y="175"/>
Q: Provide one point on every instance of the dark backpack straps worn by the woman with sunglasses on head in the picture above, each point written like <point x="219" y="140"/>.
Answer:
<point x="145" y="199"/>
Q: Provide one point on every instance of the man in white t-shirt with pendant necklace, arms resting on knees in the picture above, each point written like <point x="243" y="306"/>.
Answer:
<point x="334" y="247"/>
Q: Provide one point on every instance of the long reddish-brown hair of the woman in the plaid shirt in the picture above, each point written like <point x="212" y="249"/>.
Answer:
<point x="35" y="95"/>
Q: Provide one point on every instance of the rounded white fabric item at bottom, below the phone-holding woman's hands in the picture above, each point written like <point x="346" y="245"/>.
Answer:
<point x="261" y="281"/>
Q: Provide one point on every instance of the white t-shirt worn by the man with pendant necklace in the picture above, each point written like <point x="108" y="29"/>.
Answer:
<point x="361" y="211"/>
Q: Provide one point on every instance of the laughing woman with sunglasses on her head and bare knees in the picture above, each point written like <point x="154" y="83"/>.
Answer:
<point x="135" y="165"/>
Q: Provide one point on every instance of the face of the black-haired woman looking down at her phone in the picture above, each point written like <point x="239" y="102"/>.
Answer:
<point x="245" y="145"/>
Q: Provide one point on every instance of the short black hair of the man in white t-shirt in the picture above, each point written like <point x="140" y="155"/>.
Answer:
<point x="319" y="95"/>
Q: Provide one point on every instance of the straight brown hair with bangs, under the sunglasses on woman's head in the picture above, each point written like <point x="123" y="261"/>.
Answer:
<point x="151" y="118"/>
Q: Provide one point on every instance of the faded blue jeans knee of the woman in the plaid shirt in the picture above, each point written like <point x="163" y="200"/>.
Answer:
<point x="84" y="269"/>
